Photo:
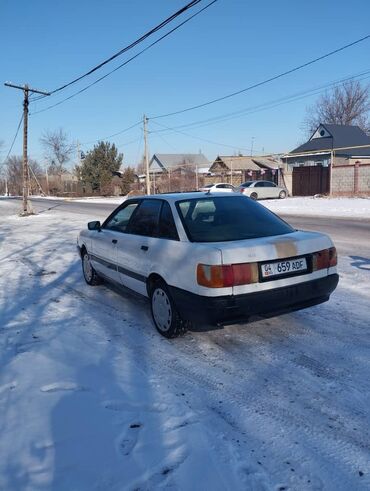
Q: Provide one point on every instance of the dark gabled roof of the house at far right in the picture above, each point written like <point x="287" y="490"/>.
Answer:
<point x="328" y="136"/>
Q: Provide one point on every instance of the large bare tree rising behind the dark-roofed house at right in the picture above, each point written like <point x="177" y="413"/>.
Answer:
<point x="347" y="104"/>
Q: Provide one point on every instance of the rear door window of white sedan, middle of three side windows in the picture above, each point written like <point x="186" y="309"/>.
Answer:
<point x="145" y="221"/>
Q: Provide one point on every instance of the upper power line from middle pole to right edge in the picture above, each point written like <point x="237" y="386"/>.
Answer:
<point x="259" y="84"/>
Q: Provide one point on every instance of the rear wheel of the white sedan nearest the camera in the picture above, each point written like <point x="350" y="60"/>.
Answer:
<point x="165" y="315"/>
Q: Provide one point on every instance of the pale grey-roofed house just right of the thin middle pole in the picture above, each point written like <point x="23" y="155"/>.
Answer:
<point x="180" y="162"/>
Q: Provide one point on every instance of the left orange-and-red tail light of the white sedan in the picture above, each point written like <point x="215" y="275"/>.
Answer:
<point x="227" y="275"/>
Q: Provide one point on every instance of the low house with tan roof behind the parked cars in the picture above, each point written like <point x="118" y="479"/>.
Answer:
<point x="237" y="169"/>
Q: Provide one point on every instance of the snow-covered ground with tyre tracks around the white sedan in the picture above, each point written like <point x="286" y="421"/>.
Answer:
<point x="92" y="398"/>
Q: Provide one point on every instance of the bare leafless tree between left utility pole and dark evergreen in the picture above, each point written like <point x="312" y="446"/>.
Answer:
<point x="58" y="150"/>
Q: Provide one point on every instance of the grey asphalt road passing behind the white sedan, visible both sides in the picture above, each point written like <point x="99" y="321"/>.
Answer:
<point x="351" y="236"/>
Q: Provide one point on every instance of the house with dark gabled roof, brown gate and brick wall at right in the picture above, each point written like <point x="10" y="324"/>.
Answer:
<point x="335" y="160"/>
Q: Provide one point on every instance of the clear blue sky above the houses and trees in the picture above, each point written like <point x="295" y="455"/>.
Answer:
<point x="232" y="45"/>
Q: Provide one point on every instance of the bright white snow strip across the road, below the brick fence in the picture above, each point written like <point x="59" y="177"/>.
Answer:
<point x="325" y="207"/>
